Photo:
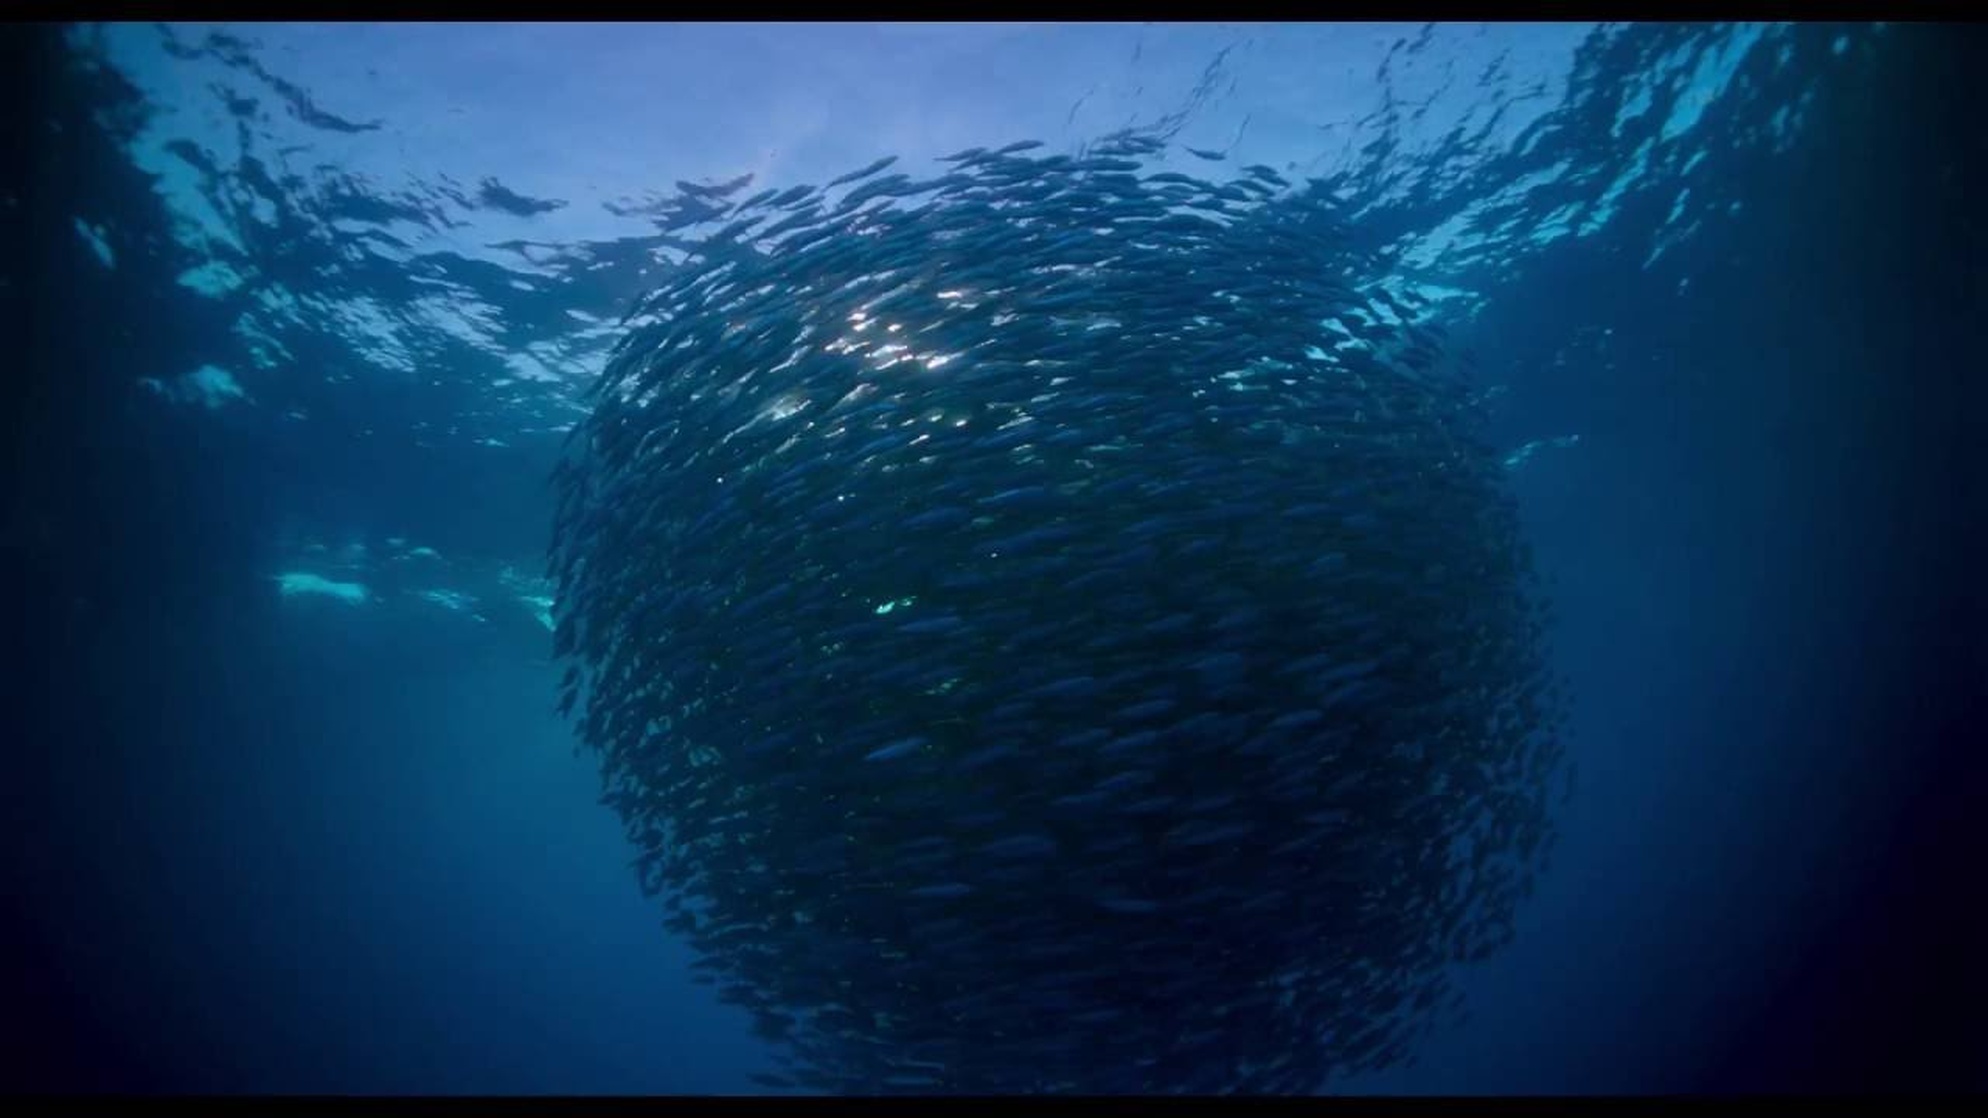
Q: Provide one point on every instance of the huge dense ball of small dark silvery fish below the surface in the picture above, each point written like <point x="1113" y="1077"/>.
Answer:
<point x="1057" y="628"/>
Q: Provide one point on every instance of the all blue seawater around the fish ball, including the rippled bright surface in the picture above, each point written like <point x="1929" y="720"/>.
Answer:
<point x="305" y="311"/>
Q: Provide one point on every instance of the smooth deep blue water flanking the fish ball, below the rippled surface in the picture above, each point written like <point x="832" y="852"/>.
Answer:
<point x="305" y="854"/>
